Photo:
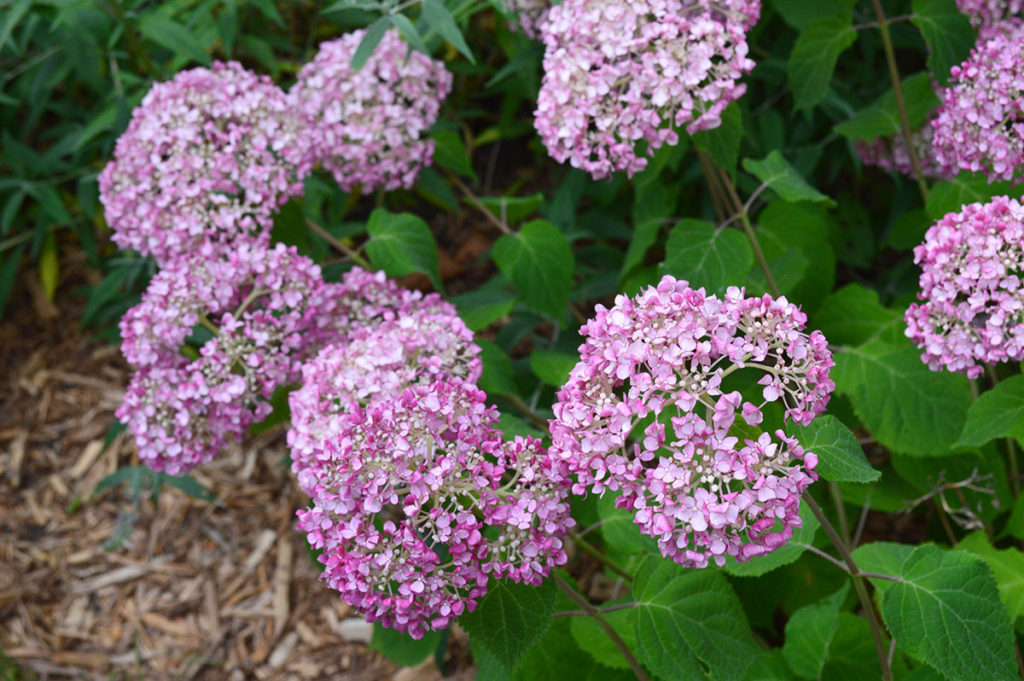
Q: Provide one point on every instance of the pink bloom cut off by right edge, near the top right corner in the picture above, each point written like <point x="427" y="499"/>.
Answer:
<point x="980" y="125"/>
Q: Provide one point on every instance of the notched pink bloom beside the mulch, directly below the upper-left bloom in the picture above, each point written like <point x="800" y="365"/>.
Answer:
<point x="268" y="308"/>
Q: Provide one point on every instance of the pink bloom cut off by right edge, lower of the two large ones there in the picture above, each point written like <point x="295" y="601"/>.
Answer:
<point x="972" y="310"/>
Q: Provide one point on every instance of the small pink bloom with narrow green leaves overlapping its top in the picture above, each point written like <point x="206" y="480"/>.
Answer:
<point x="366" y="126"/>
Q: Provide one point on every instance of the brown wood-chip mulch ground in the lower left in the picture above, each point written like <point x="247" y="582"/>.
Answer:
<point x="198" y="590"/>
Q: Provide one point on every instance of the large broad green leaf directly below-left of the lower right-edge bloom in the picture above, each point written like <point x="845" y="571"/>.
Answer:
<point x="908" y="407"/>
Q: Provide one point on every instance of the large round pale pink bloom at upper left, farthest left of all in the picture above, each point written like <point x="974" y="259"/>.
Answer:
<point x="208" y="156"/>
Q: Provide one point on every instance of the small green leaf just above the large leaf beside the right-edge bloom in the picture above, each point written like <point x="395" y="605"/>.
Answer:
<point x="854" y="316"/>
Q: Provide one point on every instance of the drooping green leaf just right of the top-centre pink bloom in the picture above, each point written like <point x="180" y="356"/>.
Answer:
<point x="814" y="58"/>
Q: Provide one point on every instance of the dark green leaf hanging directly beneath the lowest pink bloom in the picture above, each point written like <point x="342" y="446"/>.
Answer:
<point x="510" y="619"/>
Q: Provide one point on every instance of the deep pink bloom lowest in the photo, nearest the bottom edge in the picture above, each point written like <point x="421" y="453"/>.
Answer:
<point x="401" y="506"/>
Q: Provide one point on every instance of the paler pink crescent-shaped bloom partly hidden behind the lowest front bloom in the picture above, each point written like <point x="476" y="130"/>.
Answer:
<point x="422" y="342"/>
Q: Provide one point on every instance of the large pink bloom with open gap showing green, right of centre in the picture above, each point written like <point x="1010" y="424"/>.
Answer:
<point x="647" y="412"/>
